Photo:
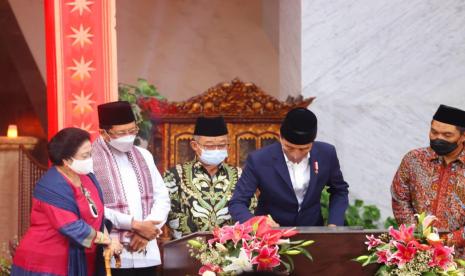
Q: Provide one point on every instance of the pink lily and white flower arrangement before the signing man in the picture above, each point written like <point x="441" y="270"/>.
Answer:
<point x="250" y="246"/>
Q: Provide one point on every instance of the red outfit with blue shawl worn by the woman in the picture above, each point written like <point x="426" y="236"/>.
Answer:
<point x="59" y="239"/>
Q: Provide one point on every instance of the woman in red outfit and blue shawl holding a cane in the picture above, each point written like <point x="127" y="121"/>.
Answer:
<point x="67" y="218"/>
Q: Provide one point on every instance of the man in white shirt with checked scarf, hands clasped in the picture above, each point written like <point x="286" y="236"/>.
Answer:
<point x="135" y="196"/>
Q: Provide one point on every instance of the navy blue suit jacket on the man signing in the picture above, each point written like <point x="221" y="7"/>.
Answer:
<point x="266" y="170"/>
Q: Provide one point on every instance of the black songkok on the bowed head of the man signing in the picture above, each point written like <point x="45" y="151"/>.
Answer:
<point x="299" y="127"/>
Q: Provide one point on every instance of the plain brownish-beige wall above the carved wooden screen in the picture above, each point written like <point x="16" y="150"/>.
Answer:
<point x="185" y="47"/>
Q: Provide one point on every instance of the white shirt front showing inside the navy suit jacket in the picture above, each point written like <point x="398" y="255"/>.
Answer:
<point x="300" y="176"/>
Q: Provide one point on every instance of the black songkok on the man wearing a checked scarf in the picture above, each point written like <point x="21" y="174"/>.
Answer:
<point x="115" y="113"/>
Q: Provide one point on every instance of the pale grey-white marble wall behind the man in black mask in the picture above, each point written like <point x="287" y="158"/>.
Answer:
<point x="379" y="70"/>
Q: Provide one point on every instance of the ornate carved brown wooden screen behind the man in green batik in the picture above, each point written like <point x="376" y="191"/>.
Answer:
<point x="253" y="119"/>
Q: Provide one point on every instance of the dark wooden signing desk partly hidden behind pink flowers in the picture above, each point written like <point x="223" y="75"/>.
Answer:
<point x="332" y="252"/>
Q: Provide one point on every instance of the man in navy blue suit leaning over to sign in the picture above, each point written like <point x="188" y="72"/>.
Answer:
<point x="291" y="175"/>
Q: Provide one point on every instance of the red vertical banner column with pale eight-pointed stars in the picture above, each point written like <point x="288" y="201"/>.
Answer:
<point x="81" y="62"/>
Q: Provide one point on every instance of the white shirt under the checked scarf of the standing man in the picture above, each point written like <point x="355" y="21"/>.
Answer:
<point x="159" y="210"/>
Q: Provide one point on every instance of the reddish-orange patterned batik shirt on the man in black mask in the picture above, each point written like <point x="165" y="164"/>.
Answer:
<point x="424" y="183"/>
